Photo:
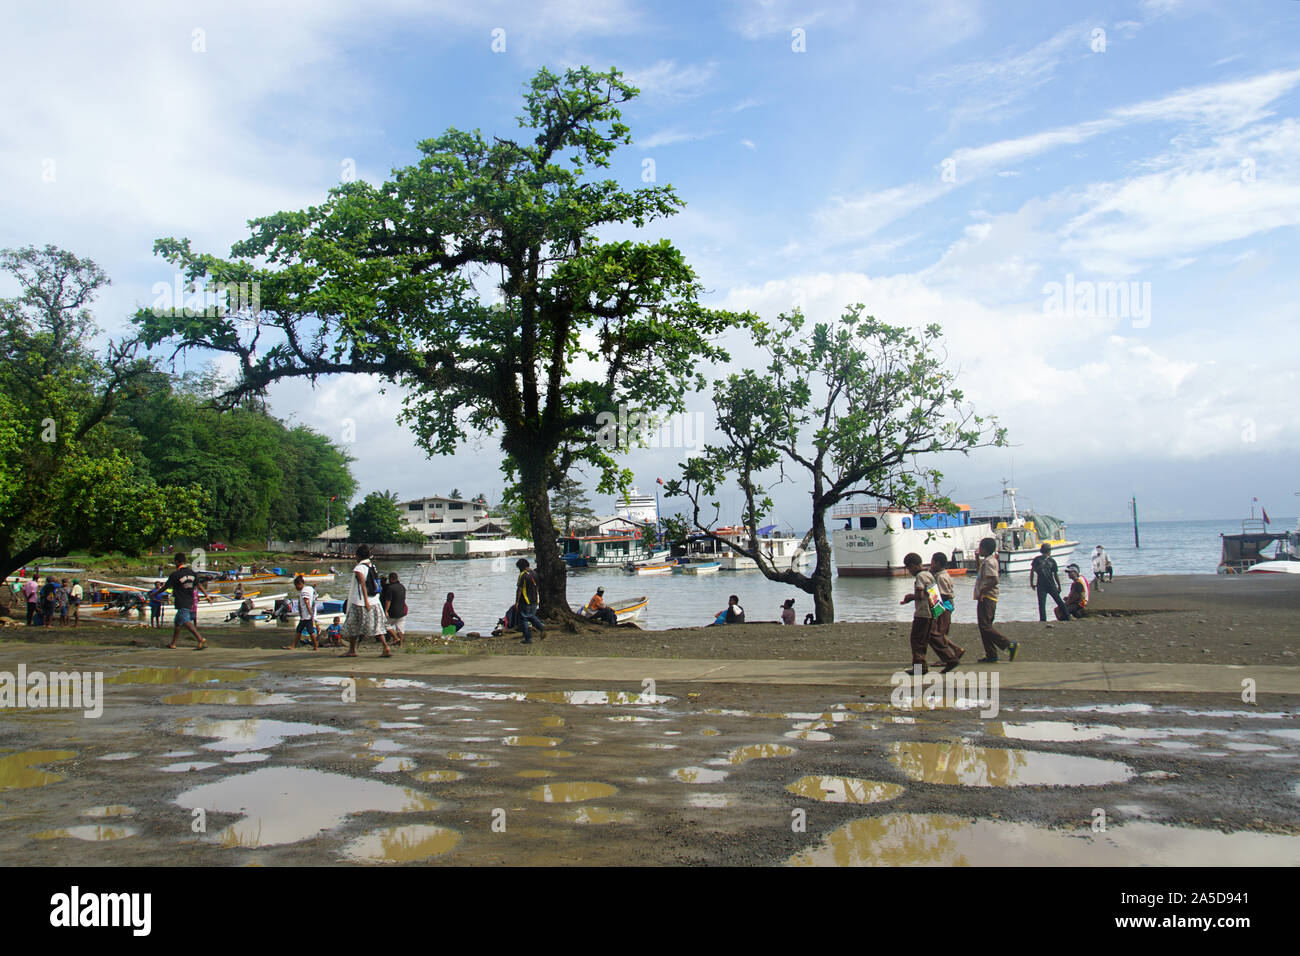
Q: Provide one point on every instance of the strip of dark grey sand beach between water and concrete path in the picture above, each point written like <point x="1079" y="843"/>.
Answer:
<point x="1172" y="620"/>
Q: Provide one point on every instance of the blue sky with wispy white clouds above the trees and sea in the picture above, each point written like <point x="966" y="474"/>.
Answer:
<point x="943" y="161"/>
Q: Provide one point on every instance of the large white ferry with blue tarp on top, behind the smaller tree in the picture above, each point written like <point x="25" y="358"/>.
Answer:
<point x="876" y="538"/>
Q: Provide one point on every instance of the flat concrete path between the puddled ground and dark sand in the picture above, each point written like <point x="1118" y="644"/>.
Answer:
<point x="1022" y="676"/>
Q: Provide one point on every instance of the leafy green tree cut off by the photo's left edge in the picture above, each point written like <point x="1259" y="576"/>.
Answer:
<point x="64" y="482"/>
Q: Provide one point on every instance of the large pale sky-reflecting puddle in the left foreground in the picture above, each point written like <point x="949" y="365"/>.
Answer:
<point x="281" y="806"/>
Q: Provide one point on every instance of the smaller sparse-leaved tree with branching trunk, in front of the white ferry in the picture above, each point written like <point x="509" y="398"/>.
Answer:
<point x="850" y="405"/>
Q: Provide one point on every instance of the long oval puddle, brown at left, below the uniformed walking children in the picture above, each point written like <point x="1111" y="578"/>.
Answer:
<point x="963" y="765"/>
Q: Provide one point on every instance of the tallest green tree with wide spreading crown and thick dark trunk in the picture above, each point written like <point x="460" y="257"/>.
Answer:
<point x="382" y="279"/>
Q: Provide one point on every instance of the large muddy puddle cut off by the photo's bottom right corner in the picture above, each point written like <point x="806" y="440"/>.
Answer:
<point x="921" y="840"/>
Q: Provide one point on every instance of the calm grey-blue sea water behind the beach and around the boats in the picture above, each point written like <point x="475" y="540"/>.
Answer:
<point x="484" y="589"/>
